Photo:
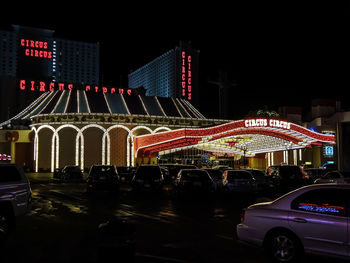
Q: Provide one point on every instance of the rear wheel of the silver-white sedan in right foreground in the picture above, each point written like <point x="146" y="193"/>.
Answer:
<point x="284" y="247"/>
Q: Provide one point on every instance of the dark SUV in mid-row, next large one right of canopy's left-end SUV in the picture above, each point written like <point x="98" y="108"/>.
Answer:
<point x="193" y="181"/>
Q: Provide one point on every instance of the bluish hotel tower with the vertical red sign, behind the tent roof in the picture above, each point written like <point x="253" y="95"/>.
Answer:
<point x="173" y="75"/>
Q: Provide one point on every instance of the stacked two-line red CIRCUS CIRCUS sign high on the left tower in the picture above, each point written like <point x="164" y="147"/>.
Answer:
<point x="35" y="48"/>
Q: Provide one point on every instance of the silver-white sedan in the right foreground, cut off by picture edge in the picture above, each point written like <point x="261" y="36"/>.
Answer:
<point x="312" y="219"/>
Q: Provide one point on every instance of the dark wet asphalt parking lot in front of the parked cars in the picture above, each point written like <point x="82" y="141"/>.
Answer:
<point x="63" y="226"/>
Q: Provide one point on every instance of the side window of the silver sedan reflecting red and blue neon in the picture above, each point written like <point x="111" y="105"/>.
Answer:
<point x="321" y="201"/>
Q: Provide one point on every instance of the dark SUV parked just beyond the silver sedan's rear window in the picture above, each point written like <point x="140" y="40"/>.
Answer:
<point x="286" y="177"/>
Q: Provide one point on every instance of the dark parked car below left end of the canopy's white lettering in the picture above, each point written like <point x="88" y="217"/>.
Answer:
<point x="239" y="181"/>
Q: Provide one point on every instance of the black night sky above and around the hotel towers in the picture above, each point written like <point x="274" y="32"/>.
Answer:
<point x="276" y="53"/>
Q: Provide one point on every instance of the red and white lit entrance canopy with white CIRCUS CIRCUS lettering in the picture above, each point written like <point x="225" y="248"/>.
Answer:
<point x="245" y="137"/>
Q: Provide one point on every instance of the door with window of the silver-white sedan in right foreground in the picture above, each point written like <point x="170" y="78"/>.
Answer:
<point x="318" y="217"/>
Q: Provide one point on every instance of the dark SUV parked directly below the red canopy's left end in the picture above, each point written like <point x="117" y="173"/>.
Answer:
<point x="148" y="177"/>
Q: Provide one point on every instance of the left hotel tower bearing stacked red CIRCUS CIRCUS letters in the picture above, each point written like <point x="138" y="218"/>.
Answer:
<point x="35" y="54"/>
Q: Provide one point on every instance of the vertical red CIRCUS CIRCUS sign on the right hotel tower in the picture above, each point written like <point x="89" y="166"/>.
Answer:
<point x="186" y="79"/>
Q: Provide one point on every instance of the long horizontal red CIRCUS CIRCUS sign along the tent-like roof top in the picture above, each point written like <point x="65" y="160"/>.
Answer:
<point x="42" y="86"/>
